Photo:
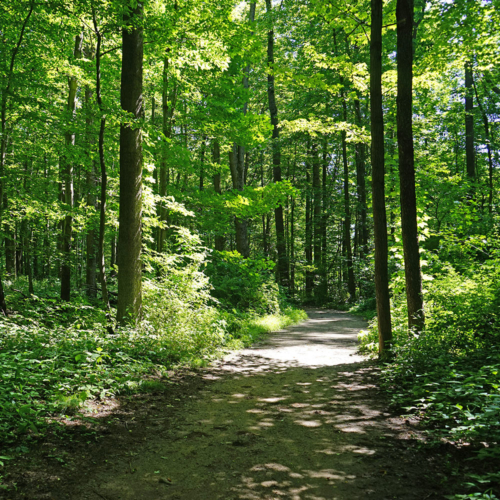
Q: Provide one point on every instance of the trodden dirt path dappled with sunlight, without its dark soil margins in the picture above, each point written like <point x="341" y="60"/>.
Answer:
<point x="298" y="416"/>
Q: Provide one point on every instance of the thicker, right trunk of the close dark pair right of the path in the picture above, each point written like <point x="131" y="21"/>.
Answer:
<point x="404" y="19"/>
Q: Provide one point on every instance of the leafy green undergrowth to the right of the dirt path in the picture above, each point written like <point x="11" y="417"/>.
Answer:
<point x="449" y="375"/>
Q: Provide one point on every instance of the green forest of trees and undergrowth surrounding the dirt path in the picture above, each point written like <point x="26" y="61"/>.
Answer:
<point x="180" y="177"/>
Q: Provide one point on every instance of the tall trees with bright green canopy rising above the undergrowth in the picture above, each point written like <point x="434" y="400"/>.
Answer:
<point x="250" y="133"/>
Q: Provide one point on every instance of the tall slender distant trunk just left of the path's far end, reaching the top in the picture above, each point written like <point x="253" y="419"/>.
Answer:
<point x="282" y="268"/>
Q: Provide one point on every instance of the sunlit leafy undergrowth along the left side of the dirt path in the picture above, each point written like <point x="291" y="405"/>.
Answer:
<point x="55" y="356"/>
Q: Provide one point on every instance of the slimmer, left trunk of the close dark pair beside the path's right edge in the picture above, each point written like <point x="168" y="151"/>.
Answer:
<point x="378" y="181"/>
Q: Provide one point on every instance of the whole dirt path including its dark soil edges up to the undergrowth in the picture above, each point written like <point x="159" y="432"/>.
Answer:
<point x="297" y="416"/>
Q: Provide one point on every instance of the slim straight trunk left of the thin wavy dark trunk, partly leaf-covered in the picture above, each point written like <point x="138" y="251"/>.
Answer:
<point x="67" y="178"/>
